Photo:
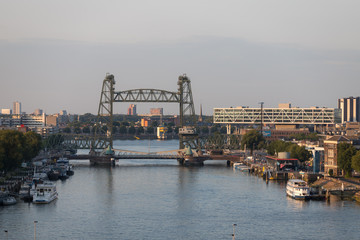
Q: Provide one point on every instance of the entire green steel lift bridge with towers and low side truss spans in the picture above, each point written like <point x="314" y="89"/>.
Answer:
<point x="103" y="134"/>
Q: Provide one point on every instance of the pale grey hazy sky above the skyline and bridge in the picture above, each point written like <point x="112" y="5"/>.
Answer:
<point x="55" y="54"/>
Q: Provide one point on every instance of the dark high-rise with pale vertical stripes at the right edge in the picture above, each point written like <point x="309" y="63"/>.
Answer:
<point x="350" y="109"/>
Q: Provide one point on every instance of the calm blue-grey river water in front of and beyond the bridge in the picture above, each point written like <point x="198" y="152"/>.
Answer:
<point x="158" y="199"/>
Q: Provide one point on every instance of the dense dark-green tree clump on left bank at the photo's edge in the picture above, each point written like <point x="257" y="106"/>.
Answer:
<point x="16" y="147"/>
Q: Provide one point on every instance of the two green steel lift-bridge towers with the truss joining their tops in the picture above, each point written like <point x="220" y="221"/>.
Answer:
<point x="104" y="124"/>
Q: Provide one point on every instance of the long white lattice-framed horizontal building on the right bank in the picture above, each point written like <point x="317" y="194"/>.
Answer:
<point x="284" y="115"/>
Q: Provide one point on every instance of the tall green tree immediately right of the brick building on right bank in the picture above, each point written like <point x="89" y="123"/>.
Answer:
<point x="345" y="153"/>
